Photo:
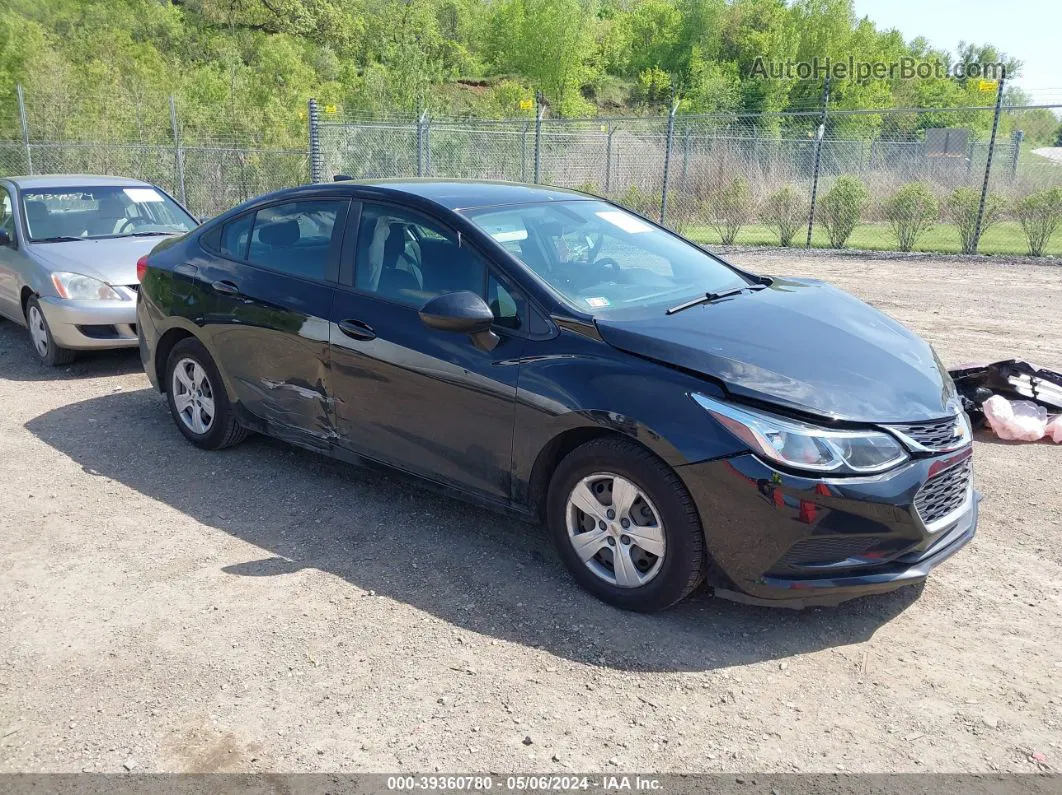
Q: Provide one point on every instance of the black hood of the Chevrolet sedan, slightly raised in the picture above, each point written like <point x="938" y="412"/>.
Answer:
<point x="800" y="344"/>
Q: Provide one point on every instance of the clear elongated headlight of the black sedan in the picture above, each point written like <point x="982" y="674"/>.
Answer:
<point x="803" y="446"/>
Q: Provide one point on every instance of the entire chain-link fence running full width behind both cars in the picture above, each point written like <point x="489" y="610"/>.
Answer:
<point x="898" y="180"/>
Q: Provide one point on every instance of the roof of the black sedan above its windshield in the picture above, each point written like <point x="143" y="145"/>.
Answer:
<point x="464" y="195"/>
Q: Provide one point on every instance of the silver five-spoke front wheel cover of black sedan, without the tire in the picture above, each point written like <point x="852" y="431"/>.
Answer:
<point x="615" y="530"/>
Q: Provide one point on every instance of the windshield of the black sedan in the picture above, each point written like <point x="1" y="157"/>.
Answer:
<point x="603" y="258"/>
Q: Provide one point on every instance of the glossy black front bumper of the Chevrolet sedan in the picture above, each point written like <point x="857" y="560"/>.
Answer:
<point x="782" y="540"/>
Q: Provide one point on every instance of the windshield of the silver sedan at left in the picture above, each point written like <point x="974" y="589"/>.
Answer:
<point x="112" y="212"/>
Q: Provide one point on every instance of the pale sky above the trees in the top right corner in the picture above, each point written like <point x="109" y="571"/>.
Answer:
<point x="1027" y="30"/>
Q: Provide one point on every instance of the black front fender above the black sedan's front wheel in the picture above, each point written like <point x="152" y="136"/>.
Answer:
<point x="575" y="383"/>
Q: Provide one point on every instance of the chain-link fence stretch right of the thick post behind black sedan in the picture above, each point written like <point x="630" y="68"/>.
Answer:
<point x="746" y="180"/>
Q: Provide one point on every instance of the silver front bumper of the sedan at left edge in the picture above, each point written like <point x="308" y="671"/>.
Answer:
<point x="85" y="325"/>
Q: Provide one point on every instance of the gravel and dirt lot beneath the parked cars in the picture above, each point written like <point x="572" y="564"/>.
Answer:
<point x="164" y="609"/>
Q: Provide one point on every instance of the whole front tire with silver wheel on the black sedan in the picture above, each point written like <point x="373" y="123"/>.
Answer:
<point x="626" y="526"/>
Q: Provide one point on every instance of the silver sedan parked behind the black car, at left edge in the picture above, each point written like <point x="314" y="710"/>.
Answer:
<point x="68" y="253"/>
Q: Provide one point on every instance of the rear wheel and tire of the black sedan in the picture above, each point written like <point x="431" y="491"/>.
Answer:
<point x="198" y="401"/>
